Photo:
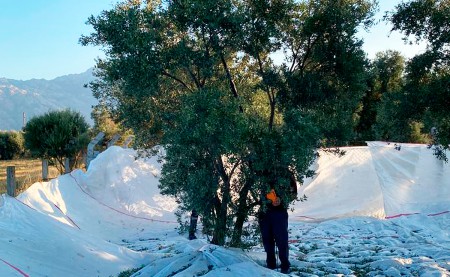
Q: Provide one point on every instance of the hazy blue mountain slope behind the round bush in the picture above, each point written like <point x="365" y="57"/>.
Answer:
<point x="38" y="96"/>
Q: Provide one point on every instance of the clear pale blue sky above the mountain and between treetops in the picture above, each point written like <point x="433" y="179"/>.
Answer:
<point x="39" y="38"/>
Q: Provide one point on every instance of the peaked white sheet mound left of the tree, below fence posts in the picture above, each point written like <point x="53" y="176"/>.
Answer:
<point x="117" y="189"/>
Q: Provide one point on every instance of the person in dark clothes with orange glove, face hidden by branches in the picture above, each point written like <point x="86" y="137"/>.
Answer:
<point x="273" y="222"/>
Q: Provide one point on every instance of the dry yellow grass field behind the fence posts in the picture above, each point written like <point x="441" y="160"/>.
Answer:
<point x="28" y="172"/>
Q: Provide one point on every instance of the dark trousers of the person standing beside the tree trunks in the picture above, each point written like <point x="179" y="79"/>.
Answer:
<point x="274" y="230"/>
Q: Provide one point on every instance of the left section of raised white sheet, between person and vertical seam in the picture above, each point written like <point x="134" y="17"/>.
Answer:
<point x="343" y="186"/>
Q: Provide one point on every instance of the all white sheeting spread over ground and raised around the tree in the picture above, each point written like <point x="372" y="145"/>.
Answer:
<point x="113" y="218"/>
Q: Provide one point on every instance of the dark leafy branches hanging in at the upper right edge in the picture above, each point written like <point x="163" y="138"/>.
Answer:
<point x="425" y="97"/>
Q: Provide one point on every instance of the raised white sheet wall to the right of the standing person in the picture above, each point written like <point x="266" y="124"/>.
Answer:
<point x="382" y="180"/>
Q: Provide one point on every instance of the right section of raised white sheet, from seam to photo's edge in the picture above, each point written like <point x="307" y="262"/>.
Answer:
<point x="412" y="179"/>
